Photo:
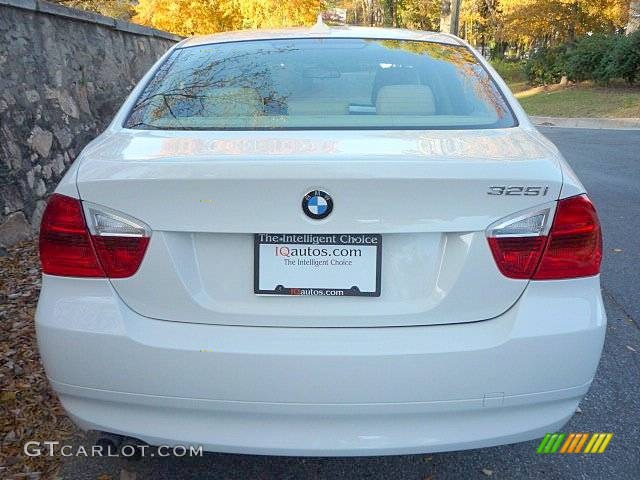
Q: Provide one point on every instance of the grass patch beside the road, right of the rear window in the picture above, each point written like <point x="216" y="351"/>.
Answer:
<point x="580" y="101"/>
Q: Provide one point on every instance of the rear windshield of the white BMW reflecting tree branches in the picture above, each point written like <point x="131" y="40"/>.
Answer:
<point x="321" y="84"/>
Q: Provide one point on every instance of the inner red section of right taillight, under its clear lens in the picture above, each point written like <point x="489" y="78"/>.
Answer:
<point x="517" y="257"/>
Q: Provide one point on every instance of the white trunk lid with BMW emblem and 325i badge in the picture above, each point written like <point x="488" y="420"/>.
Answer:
<point x="205" y="195"/>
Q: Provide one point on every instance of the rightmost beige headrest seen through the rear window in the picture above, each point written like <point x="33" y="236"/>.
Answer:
<point x="405" y="100"/>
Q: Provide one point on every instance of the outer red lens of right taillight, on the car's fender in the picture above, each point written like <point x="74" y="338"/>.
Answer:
<point x="574" y="248"/>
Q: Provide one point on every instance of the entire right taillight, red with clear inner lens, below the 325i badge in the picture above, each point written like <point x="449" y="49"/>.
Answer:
<point x="530" y="246"/>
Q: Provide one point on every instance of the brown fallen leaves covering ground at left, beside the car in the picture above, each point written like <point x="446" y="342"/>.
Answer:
<point x="21" y="375"/>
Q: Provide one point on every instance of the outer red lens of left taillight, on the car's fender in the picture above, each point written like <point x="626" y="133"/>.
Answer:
<point x="65" y="246"/>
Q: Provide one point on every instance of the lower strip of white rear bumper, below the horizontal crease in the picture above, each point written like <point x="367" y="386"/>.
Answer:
<point x="320" y="429"/>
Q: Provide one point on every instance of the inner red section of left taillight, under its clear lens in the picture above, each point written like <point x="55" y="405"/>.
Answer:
<point x="120" y="256"/>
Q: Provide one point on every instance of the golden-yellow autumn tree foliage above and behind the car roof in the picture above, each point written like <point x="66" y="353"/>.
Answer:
<point x="521" y="25"/>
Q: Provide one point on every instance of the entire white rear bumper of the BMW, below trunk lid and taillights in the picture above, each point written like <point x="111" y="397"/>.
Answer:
<point x="321" y="391"/>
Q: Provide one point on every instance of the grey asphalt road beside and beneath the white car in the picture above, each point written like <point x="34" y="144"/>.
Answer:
<point x="608" y="163"/>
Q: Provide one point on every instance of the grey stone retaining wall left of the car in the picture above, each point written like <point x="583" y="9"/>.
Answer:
<point x="63" y="74"/>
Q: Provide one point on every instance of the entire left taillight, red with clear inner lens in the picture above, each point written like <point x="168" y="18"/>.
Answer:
<point x="108" y="244"/>
